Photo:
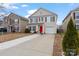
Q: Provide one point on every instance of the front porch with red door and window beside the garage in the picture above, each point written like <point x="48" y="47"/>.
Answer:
<point x="37" y="28"/>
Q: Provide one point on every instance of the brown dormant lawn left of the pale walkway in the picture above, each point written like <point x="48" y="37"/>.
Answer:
<point x="12" y="36"/>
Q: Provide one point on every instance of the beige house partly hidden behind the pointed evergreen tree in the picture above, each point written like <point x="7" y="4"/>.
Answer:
<point x="74" y="14"/>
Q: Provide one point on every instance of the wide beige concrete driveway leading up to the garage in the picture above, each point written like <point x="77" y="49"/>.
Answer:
<point x="41" y="45"/>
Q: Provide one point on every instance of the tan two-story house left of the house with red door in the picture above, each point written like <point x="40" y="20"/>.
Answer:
<point x="15" y="23"/>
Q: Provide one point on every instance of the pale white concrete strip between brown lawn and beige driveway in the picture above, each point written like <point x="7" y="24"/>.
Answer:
<point x="15" y="42"/>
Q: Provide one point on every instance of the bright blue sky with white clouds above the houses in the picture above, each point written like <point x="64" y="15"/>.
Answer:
<point x="26" y="9"/>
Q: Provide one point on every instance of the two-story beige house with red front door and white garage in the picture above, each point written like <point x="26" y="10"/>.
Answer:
<point x="43" y="20"/>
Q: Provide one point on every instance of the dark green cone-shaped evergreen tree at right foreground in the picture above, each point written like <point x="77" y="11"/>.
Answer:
<point x="70" y="40"/>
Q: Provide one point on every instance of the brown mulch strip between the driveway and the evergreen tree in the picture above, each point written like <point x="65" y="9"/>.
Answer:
<point x="57" y="48"/>
